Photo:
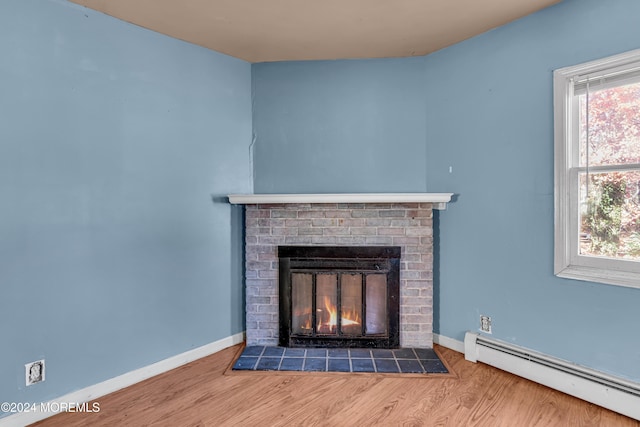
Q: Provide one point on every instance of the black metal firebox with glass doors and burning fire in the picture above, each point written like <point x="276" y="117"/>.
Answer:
<point x="339" y="296"/>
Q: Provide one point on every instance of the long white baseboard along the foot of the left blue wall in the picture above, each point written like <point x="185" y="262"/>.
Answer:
<point x="117" y="383"/>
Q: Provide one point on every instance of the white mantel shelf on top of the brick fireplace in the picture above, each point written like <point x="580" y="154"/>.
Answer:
<point x="439" y="200"/>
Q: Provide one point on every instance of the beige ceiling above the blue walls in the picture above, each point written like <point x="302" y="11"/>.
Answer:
<point x="284" y="30"/>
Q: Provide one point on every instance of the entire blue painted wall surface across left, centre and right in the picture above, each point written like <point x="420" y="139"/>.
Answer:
<point x="116" y="144"/>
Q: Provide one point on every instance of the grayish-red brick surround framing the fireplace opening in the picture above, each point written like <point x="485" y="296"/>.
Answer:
<point x="408" y="225"/>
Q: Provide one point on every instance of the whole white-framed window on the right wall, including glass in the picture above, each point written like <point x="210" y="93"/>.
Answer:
<point x="597" y="170"/>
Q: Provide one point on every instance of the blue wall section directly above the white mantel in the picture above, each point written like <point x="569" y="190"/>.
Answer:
<point x="339" y="126"/>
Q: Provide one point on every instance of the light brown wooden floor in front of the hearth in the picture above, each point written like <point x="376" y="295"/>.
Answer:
<point x="206" y="393"/>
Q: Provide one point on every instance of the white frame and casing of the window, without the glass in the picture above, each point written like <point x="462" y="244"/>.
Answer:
<point x="568" y="262"/>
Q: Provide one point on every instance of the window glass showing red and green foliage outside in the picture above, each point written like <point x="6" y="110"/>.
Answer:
<point x="609" y="137"/>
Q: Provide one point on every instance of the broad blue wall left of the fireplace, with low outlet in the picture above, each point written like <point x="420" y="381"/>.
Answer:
<point x="115" y="145"/>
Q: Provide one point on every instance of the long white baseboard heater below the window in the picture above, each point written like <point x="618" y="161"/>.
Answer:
<point x="610" y="392"/>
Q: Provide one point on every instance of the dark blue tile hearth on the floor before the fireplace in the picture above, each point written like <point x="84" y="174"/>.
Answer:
<point x="400" y="361"/>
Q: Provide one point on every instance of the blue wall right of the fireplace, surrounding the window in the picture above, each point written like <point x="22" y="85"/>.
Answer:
<point x="490" y="118"/>
